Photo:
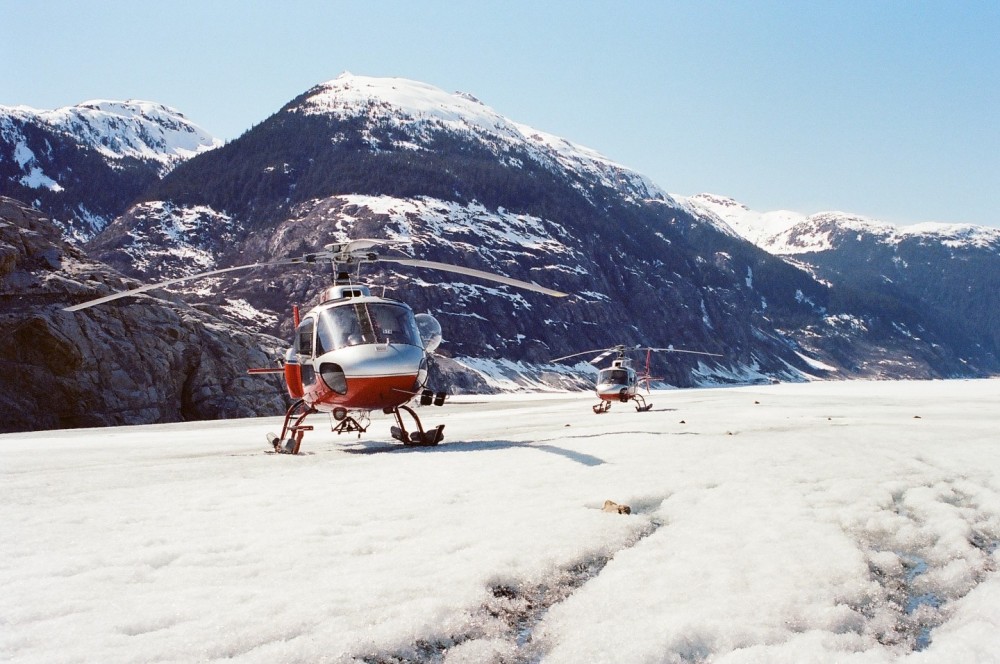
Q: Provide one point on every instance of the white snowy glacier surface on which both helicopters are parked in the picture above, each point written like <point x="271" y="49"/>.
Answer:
<point x="848" y="522"/>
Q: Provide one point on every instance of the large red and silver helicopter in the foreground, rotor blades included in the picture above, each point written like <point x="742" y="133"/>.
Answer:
<point x="354" y="352"/>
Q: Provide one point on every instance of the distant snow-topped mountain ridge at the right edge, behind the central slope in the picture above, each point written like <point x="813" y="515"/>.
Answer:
<point x="943" y="277"/>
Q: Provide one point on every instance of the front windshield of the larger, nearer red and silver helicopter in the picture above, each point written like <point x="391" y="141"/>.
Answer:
<point x="365" y="323"/>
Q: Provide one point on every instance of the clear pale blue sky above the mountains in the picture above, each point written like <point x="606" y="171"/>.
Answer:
<point x="885" y="109"/>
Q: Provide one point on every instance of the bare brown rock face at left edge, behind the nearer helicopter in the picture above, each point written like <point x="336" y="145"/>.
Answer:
<point x="139" y="361"/>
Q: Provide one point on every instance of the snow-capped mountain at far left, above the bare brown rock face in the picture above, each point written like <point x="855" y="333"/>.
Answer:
<point x="82" y="164"/>
